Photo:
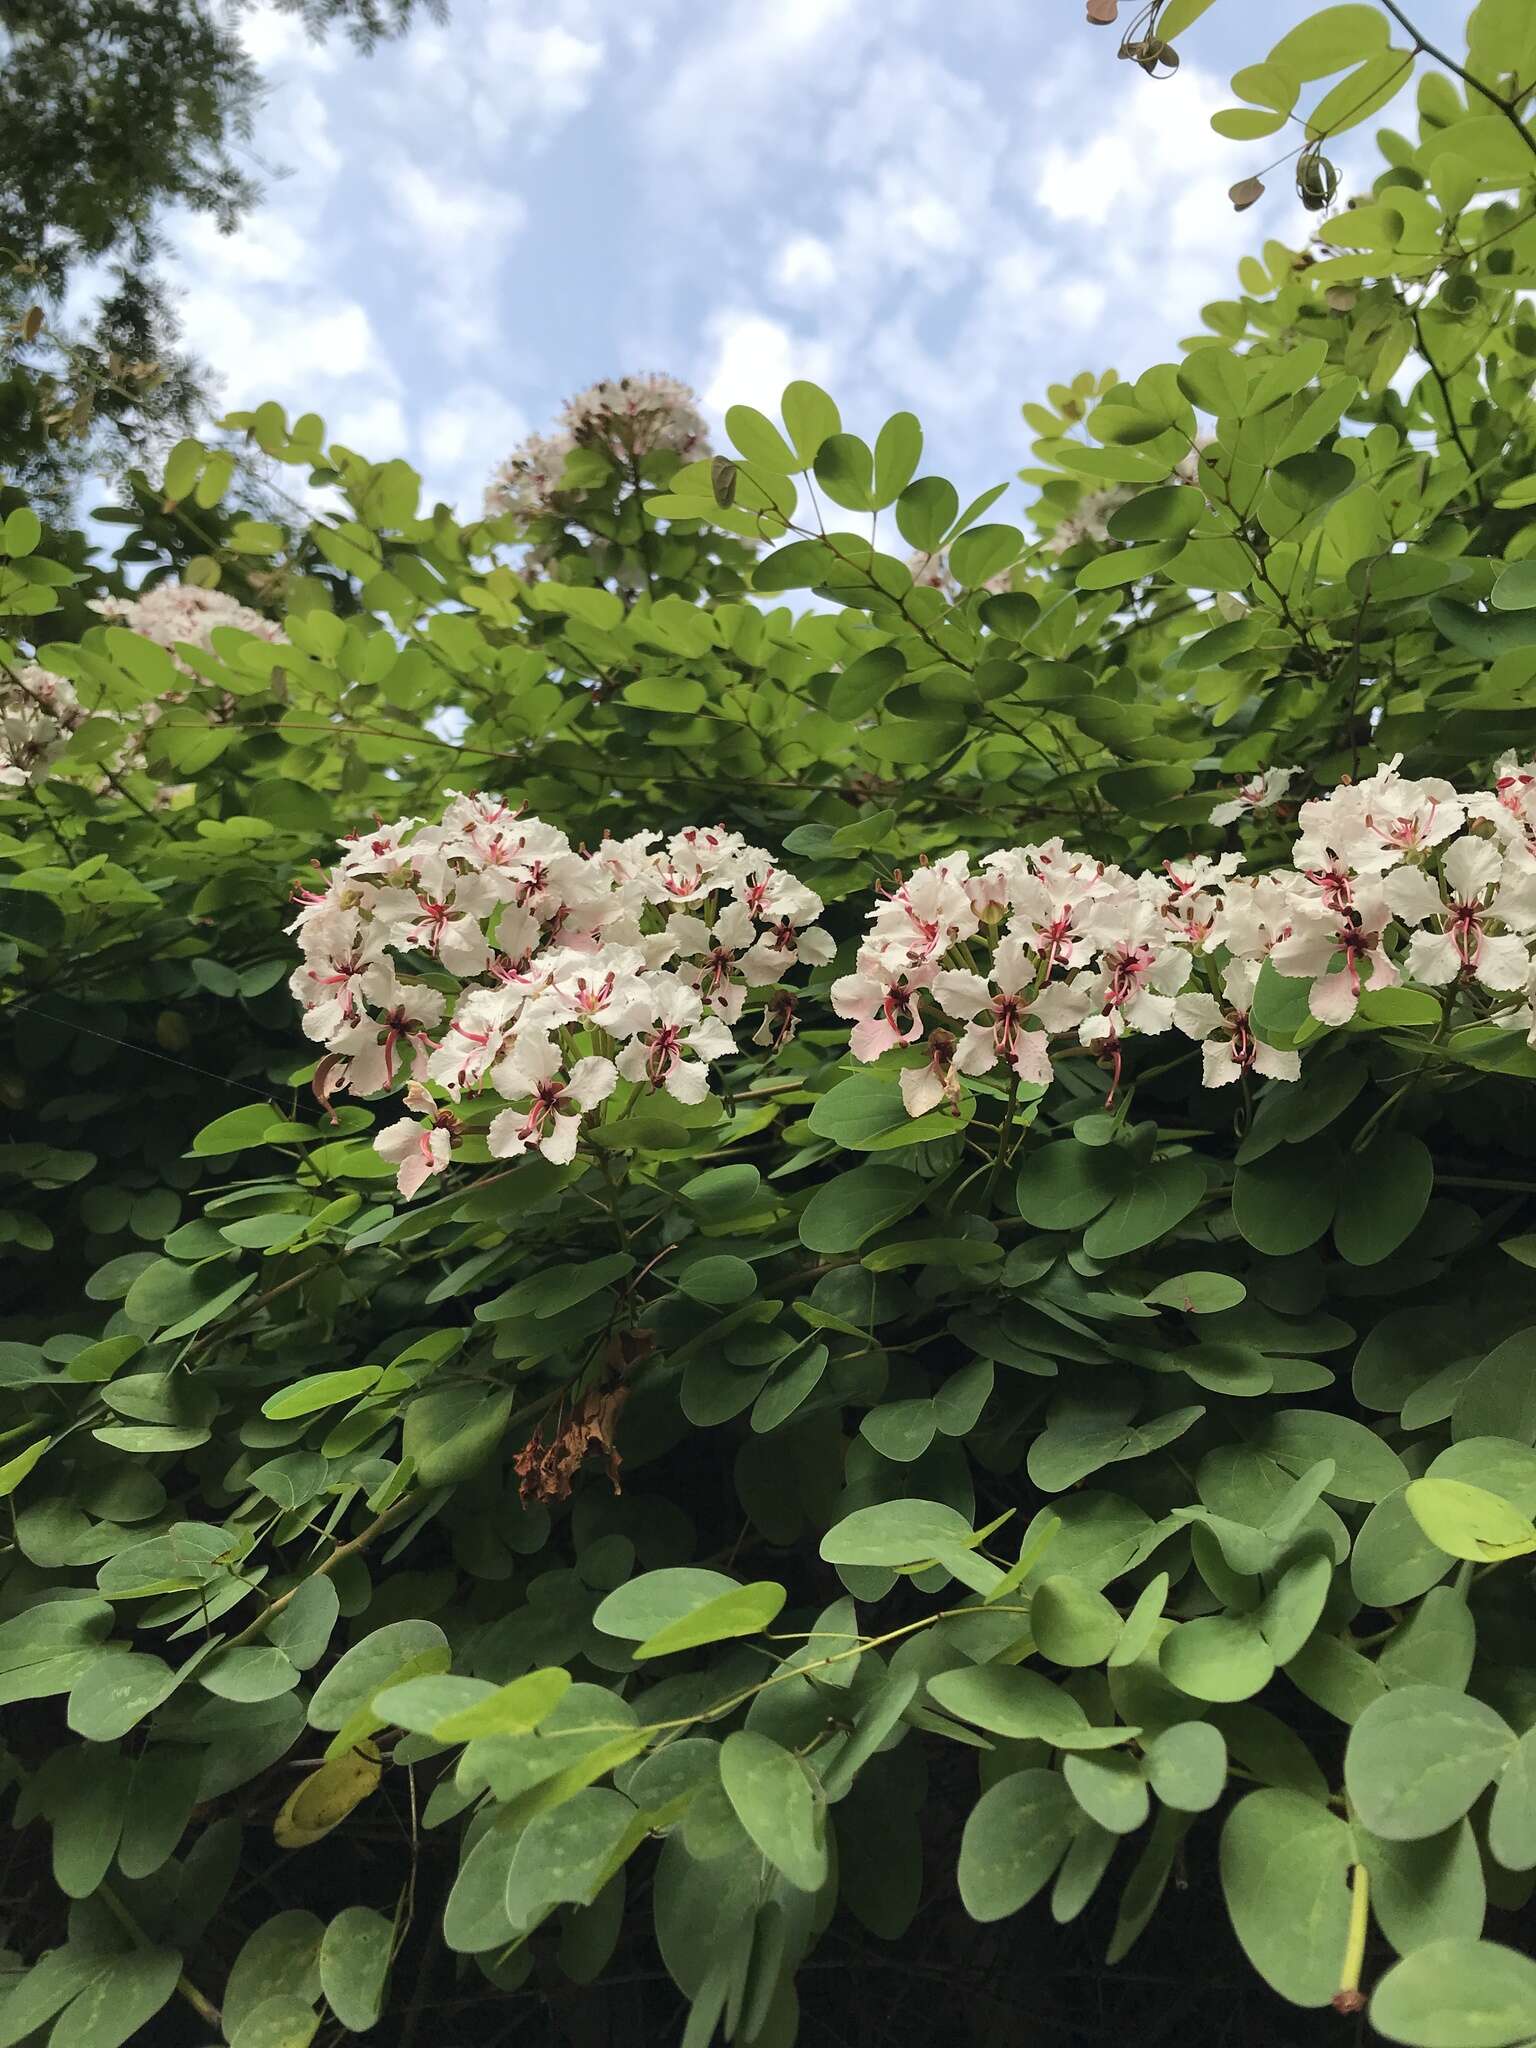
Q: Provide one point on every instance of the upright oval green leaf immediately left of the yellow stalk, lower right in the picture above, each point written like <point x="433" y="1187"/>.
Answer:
<point x="1285" y="1867"/>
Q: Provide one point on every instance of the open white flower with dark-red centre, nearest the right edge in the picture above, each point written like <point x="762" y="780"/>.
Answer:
<point x="1476" y="894"/>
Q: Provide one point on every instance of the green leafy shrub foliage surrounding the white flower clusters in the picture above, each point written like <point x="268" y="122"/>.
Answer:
<point x="1015" y="1615"/>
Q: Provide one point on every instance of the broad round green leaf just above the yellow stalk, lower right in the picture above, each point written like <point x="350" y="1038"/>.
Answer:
<point x="1420" y="1756"/>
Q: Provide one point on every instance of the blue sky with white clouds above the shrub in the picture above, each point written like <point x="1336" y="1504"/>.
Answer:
<point x="923" y="206"/>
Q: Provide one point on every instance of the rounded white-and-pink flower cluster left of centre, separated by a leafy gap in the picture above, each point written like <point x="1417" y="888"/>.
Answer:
<point x="488" y="953"/>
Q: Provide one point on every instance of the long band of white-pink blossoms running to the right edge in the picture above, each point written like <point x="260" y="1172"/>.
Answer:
<point x="1392" y="880"/>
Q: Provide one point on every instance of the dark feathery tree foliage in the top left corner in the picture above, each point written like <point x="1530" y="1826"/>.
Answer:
<point x="112" y="114"/>
